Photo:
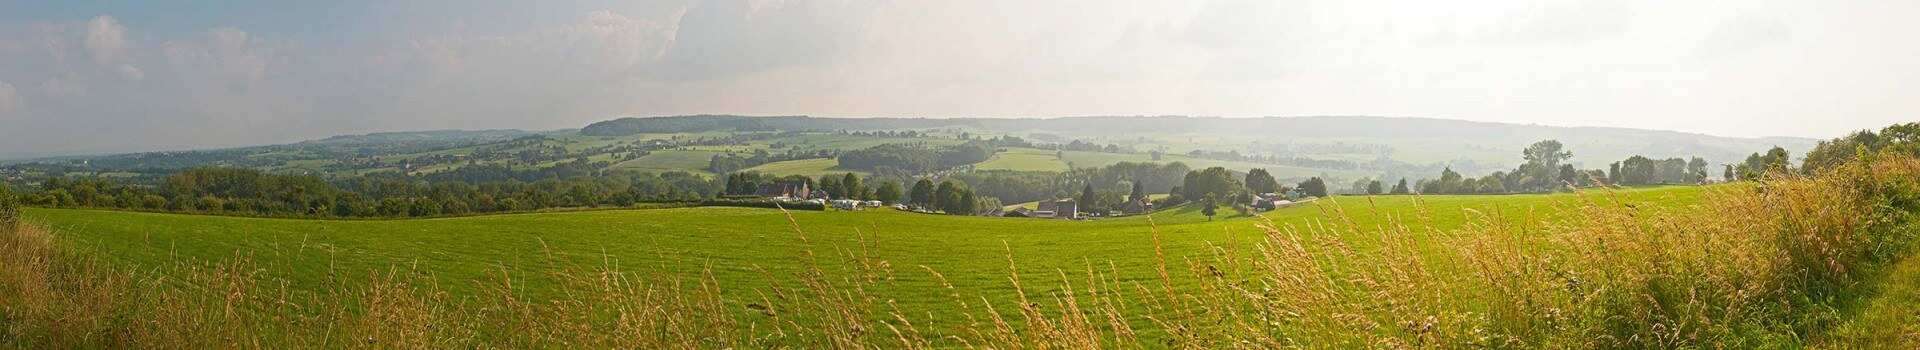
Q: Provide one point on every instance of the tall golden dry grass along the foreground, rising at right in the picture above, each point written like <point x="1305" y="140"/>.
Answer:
<point x="1760" y="266"/>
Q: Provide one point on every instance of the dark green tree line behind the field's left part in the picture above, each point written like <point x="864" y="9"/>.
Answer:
<point x="387" y="195"/>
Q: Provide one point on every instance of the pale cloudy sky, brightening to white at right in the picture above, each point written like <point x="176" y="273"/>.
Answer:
<point x="130" y="76"/>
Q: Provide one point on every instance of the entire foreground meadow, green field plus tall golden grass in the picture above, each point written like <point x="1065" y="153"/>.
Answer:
<point x="1735" y="266"/>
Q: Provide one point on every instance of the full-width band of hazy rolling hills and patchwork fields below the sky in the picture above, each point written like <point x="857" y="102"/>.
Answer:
<point x="1305" y="147"/>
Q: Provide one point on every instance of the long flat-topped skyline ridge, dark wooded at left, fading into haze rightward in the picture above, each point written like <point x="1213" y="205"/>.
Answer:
<point x="1410" y="139"/>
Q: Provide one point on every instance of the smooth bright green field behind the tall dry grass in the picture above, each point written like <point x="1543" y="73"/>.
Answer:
<point x="734" y="243"/>
